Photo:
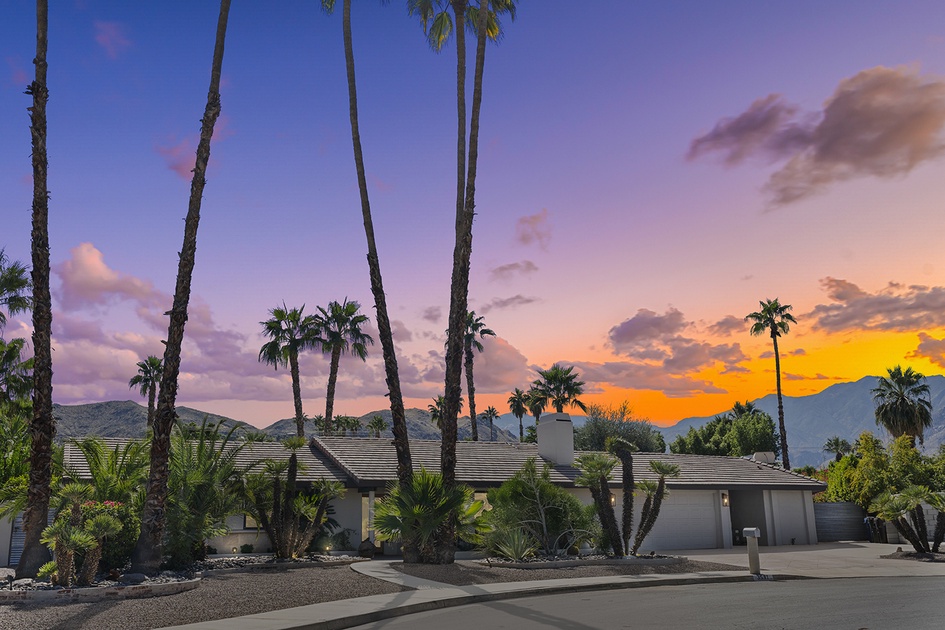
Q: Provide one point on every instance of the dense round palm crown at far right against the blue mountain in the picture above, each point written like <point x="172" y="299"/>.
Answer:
<point x="903" y="403"/>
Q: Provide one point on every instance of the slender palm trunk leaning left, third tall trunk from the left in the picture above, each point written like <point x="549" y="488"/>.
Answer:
<point x="398" y="416"/>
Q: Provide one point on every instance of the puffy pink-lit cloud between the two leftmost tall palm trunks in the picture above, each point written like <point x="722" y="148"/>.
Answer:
<point x="87" y="280"/>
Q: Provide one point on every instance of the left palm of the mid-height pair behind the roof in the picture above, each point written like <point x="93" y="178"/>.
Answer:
<point x="290" y="332"/>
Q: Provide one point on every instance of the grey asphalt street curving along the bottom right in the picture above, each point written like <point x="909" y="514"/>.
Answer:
<point x="916" y="603"/>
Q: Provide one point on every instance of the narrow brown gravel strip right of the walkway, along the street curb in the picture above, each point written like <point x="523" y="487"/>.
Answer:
<point x="465" y="572"/>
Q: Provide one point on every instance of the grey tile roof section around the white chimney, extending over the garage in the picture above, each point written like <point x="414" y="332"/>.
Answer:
<point x="373" y="462"/>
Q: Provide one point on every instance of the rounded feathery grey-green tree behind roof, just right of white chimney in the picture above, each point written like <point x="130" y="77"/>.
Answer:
<point x="605" y="421"/>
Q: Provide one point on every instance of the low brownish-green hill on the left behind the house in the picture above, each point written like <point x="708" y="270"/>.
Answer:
<point x="119" y="419"/>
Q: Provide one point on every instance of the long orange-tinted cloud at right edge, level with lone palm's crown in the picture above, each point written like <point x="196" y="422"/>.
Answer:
<point x="896" y="308"/>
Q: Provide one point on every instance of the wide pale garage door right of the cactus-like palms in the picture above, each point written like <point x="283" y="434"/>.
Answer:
<point x="688" y="519"/>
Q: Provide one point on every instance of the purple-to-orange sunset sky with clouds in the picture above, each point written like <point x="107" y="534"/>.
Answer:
<point x="640" y="190"/>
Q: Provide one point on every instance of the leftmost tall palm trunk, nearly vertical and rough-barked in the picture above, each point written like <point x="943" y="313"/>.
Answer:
<point x="42" y="425"/>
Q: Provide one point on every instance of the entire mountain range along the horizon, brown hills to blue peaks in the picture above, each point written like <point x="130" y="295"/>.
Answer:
<point x="843" y="409"/>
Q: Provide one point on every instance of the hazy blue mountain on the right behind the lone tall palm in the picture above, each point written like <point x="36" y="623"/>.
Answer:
<point x="844" y="410"/>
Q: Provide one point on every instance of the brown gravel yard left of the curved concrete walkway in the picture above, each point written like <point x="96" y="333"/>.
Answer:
<point x="217" y="597"/>
